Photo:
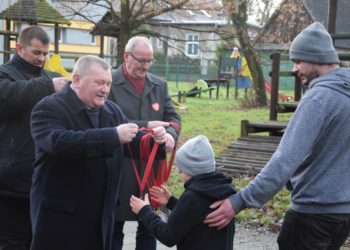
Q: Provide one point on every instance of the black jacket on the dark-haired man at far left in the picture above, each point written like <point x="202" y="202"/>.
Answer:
<point x="22" y="85"/>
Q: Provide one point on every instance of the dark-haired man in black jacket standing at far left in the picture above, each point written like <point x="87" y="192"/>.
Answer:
<point x="23" y="82"/>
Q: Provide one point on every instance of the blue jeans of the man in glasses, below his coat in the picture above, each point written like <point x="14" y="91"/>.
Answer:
<point x="144" y="240"/>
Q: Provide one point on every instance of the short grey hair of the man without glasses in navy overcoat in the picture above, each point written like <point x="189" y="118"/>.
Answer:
<point x="84" y="63"/>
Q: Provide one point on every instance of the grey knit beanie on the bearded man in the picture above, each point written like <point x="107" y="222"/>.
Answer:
<point x="313" y="44"/>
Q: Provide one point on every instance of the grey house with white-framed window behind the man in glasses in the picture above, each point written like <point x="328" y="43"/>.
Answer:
<point x="194" y="33"/>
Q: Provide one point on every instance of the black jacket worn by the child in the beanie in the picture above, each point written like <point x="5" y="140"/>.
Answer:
<point x="185" y="227"/>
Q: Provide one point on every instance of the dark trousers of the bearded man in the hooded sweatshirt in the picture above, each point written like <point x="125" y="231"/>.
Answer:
<point x="313" y="231"/>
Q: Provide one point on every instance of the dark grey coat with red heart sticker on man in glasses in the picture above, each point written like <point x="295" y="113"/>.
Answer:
<point x="154" y="104"/>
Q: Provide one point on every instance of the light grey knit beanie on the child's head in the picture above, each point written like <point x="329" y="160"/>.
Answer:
<point x="196" y="156"/>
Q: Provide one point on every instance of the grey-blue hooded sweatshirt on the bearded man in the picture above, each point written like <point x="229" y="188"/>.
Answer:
<point x="313" y="157"/>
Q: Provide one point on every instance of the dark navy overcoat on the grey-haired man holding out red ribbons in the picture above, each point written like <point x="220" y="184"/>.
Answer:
<point x="76" y="173"/>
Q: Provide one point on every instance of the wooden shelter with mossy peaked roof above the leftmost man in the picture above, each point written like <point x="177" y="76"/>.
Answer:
<point x="31" y="12"/>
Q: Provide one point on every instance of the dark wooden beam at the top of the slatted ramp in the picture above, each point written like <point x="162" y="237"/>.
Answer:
<point x="273" y="127"/>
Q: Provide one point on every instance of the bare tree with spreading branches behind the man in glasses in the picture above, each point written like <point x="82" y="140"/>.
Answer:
<point x="126" y="18"/>
